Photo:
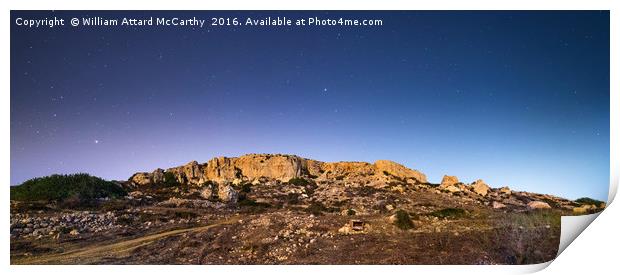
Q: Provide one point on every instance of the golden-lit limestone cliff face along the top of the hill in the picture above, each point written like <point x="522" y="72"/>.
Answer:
<point x="276" y="167"/>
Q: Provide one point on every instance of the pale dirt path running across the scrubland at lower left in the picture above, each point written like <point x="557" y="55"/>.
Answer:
<point x="95" y="252"/>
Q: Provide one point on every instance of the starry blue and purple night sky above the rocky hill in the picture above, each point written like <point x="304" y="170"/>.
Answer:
<point x="515" y="98"/>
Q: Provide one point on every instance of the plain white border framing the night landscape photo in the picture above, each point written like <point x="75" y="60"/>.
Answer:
<point x="309" y="5"/>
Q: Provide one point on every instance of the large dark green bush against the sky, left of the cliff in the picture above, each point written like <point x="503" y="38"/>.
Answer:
<point x="61" y="187"/>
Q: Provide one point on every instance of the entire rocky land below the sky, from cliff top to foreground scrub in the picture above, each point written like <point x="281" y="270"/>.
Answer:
<point x="284" y="209"/>
